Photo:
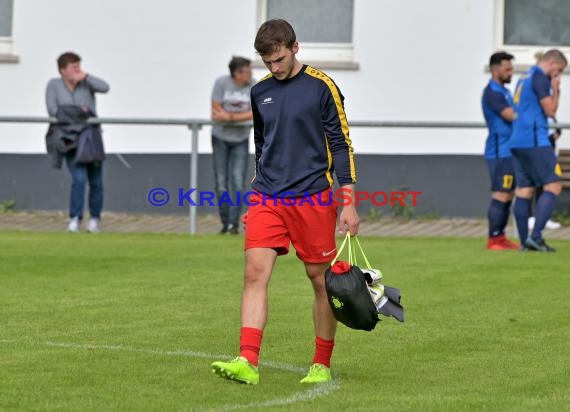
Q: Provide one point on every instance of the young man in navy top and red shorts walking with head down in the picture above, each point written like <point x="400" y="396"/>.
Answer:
<point x="301" y="137"/>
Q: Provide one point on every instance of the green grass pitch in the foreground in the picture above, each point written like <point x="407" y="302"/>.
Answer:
<point x="132" y="322"/>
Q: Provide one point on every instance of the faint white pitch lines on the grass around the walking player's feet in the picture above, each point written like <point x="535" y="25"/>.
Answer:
<point x="316" y="391"/>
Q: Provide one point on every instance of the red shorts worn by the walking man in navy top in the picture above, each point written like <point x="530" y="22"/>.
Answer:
<point x="309" y="223"/>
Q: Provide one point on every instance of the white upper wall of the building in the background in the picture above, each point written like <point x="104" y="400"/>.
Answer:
<point x="419" y="60"/>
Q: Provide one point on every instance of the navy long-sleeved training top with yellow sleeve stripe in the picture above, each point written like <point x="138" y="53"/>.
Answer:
<point x="301" y="135"/>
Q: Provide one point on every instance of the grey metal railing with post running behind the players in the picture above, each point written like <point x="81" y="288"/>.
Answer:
<point x="196" y="124"/>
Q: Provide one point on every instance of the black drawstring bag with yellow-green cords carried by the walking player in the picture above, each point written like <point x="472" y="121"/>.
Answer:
<point x="356" y="296"/>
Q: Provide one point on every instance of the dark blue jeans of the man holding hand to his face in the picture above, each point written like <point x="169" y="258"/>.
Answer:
<point x="82" y="173"/>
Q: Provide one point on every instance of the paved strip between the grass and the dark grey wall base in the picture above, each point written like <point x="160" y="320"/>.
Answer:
<point x="42" y="221"/>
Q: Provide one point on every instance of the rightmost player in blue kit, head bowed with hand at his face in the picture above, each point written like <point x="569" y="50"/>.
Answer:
<point x="536" y="99"/>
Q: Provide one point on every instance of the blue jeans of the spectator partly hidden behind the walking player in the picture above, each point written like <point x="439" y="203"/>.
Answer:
<point x="230" y="167"/>
